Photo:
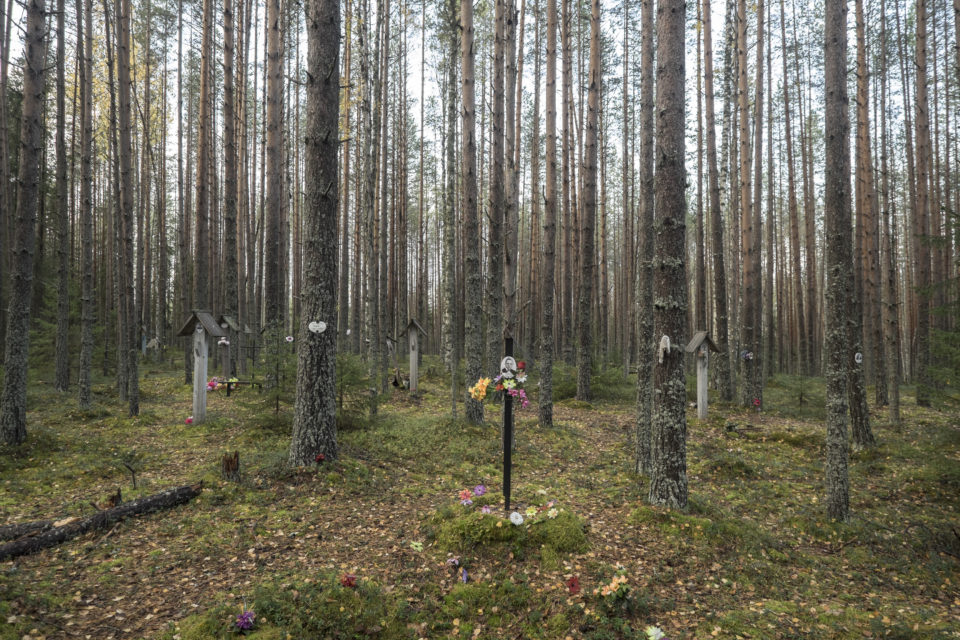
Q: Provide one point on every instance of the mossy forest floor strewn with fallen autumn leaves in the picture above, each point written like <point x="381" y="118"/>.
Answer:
<point x="753" y="557"/>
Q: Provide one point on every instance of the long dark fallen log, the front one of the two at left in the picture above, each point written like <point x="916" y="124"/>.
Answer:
<point x="58" y="534"/>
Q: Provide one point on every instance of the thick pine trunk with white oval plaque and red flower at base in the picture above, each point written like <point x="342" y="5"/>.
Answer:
<point x="314" y="422"/>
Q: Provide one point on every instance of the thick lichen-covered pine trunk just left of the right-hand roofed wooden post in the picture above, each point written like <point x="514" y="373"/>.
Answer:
<point x="668" y="473"/>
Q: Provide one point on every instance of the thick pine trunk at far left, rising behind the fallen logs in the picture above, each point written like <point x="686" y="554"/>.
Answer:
<point x="13" y="407"/>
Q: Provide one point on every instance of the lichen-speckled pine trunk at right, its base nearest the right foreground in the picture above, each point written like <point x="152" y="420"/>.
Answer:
<point x="838" y="259"/>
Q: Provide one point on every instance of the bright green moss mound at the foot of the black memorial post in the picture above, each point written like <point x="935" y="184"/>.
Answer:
<point x="460" y="530"/>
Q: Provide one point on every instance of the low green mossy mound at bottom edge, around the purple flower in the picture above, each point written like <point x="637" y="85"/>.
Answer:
<point x="315" y="609"/>
